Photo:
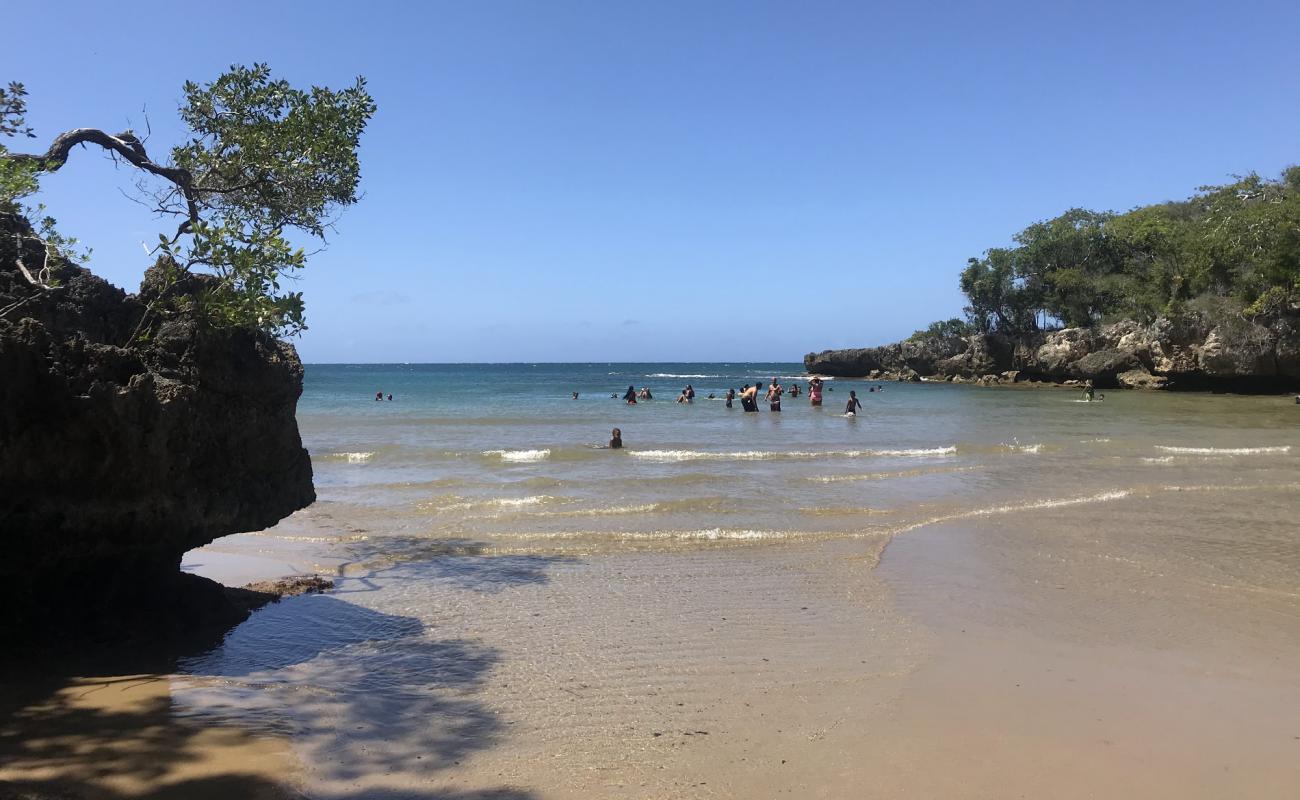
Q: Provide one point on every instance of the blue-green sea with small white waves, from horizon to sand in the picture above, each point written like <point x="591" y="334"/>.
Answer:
<point x="502" y="455"/>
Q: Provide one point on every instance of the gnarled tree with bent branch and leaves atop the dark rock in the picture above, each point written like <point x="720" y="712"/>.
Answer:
<point x="263" y="161"/>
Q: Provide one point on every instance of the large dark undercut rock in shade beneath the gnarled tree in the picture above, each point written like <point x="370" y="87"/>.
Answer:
<point x="116" y="457"/>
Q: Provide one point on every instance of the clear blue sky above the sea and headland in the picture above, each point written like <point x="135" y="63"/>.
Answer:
<point x="681" y="181"/>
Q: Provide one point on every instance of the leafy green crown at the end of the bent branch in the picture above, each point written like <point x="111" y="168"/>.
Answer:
<point x="265" y="158"/>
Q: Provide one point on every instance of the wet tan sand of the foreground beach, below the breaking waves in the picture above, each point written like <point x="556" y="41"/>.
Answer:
<point x="1133" y="648"/>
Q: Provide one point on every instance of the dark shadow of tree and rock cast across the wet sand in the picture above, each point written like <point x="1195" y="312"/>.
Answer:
<point x="357" y="691"/>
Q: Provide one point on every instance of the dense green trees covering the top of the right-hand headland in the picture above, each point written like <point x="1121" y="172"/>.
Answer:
<point x="1228" y="248"/>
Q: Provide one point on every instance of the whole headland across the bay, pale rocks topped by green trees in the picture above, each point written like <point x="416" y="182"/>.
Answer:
<point x="1195" y="295"/>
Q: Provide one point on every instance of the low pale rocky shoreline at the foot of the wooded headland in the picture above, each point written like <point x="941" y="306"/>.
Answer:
<point x="1189" y="353"/>
